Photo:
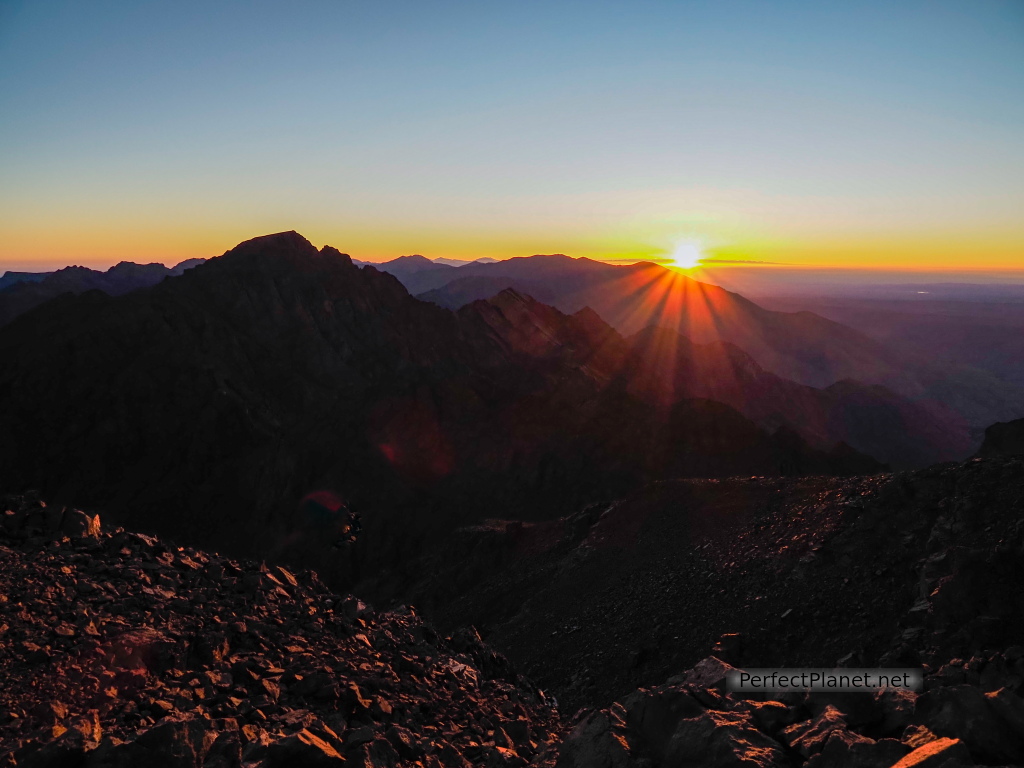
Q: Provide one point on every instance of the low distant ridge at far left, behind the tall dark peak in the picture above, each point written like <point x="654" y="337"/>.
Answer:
<point x="23" y="295"/>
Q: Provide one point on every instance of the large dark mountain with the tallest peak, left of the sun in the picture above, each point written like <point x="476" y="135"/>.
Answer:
<point x="277" y="370"/>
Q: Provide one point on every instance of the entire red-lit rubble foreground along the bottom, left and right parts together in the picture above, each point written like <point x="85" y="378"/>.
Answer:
<point x="119" y="650"/>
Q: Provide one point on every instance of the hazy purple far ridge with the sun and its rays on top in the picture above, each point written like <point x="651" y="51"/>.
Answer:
<point x="802" y="347"/>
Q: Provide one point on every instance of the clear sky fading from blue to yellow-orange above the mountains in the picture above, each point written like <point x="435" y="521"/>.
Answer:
<point x="851" y="135"/>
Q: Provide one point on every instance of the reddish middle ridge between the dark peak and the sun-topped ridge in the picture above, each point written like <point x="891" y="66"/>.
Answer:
<point x="662" y="368"/>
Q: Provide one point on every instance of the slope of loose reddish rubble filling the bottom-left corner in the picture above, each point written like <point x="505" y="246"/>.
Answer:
<point x="117" y="650"/>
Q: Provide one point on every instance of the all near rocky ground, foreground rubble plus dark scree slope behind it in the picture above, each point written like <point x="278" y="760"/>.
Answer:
<point x="120" y="650"/>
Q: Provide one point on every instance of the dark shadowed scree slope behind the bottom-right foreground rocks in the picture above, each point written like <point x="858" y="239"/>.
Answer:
<point x="906" y="569"/>
